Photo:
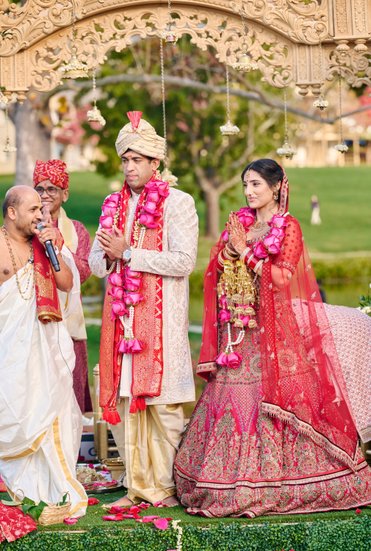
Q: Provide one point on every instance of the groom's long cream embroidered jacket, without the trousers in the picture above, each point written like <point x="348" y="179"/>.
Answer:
<point x="174" y="263"/>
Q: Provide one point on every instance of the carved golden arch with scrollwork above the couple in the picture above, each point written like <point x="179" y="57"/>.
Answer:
<point x="293" y="42"/>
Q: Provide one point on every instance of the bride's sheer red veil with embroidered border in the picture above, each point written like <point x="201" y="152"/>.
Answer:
<point x="302" y="382"/>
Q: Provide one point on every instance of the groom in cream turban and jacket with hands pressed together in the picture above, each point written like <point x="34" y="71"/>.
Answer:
<point x="147" y="245"/>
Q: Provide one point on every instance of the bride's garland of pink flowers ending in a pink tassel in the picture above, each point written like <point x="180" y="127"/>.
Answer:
<point x="269" y="245"/>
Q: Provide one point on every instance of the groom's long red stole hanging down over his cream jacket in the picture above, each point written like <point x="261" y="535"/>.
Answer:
<point x="147" y="366"/>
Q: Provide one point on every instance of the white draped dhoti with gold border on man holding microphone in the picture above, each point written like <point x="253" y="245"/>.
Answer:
<point x="40" y="421"/>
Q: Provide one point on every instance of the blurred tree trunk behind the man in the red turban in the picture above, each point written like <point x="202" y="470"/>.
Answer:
<point x="32" y="141"/>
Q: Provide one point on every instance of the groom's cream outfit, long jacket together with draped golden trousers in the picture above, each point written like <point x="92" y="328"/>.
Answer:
<point x="147" y="441"/>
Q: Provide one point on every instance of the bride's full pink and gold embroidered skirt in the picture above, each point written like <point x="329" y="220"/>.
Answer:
<point x="235" y="460"/>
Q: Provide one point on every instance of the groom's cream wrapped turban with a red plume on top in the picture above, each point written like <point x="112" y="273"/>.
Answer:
<point x="139" y="136"/>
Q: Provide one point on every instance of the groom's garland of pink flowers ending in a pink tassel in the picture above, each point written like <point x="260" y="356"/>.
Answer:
<point x="125" y="283"/>
